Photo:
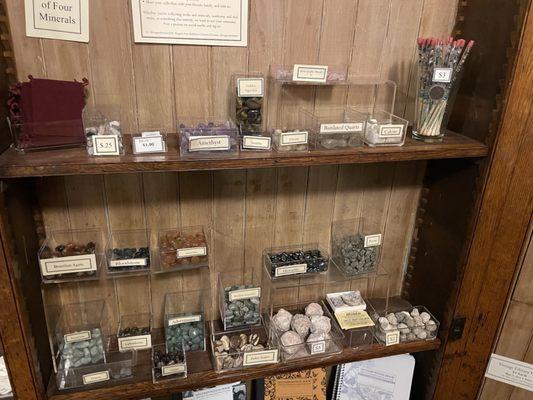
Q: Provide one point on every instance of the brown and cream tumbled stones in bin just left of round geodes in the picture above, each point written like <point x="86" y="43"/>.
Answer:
<point x="229" y="350"/>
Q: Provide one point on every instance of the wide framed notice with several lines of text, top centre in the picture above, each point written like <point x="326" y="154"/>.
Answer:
<point x="198" y="22"/>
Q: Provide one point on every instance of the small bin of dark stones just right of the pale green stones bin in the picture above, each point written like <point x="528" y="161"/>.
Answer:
<point x="135" y="332"/>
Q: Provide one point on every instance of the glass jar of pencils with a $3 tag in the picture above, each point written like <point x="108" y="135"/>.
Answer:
<point x="440" y="66"/>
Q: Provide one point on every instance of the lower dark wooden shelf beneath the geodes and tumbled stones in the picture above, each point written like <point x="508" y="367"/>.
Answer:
<point x="142" y="384"/>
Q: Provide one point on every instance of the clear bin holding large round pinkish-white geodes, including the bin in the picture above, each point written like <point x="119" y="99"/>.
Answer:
<point x="310" y="334"/>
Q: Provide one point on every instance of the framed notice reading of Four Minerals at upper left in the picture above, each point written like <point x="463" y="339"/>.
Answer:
<point x="58" y="19"/>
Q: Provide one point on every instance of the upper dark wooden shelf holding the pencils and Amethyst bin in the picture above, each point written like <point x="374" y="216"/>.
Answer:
<point x="76" y="161"/>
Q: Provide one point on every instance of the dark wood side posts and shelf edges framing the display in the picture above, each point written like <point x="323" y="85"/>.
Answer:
<point x="476" y="250"/>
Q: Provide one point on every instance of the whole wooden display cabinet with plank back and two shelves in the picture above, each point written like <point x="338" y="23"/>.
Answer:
<point x="454" y="213"/>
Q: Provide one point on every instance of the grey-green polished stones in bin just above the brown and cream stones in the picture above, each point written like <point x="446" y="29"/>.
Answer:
<point x="240" y="312"/>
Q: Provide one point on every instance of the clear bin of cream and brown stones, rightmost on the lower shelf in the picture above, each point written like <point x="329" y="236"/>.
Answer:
<point x="409" y="327"/>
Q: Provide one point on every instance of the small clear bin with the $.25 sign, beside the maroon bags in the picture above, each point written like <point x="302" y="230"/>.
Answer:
<point x="103" y="131"/>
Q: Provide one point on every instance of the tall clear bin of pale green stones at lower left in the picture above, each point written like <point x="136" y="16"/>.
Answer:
<point x="79" y="338"/>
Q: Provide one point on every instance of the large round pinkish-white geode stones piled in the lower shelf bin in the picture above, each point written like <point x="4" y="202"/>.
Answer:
<point x="310" y="328"/>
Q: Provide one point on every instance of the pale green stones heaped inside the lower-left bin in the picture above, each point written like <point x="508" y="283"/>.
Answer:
<point x="82" y="352"/>
